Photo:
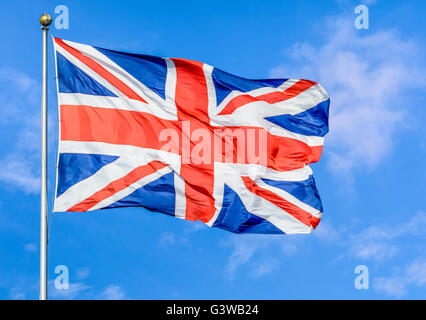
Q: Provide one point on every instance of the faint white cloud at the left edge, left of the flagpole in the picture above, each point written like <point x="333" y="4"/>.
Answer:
<point x="20" y="101"/>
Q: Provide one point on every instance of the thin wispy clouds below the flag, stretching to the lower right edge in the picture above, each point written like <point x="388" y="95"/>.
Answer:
<point x="260" y="255"/>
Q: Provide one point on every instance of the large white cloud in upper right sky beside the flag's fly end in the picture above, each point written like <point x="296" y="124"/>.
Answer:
<point x="366" y="74"/>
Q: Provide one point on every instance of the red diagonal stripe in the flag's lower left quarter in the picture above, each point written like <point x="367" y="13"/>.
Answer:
<point x="118" y="185"/>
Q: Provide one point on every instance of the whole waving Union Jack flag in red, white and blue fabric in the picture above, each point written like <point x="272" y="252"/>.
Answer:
<point x="183" y="138"/>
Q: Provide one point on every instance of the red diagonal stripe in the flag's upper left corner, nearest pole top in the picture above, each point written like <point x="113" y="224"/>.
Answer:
<point x="104" y="73"/>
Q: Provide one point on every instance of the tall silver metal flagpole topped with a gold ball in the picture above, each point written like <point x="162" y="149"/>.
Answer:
<point x="45" y="21"/>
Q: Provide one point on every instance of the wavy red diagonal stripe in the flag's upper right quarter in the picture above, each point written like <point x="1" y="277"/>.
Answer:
<point x="272" y="97"/>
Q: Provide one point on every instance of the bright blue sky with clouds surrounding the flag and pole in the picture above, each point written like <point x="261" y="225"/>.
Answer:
<point x="371" y="177"/>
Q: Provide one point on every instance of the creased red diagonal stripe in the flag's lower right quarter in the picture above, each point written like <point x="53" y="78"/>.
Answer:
<point x="298" y="213"/>
